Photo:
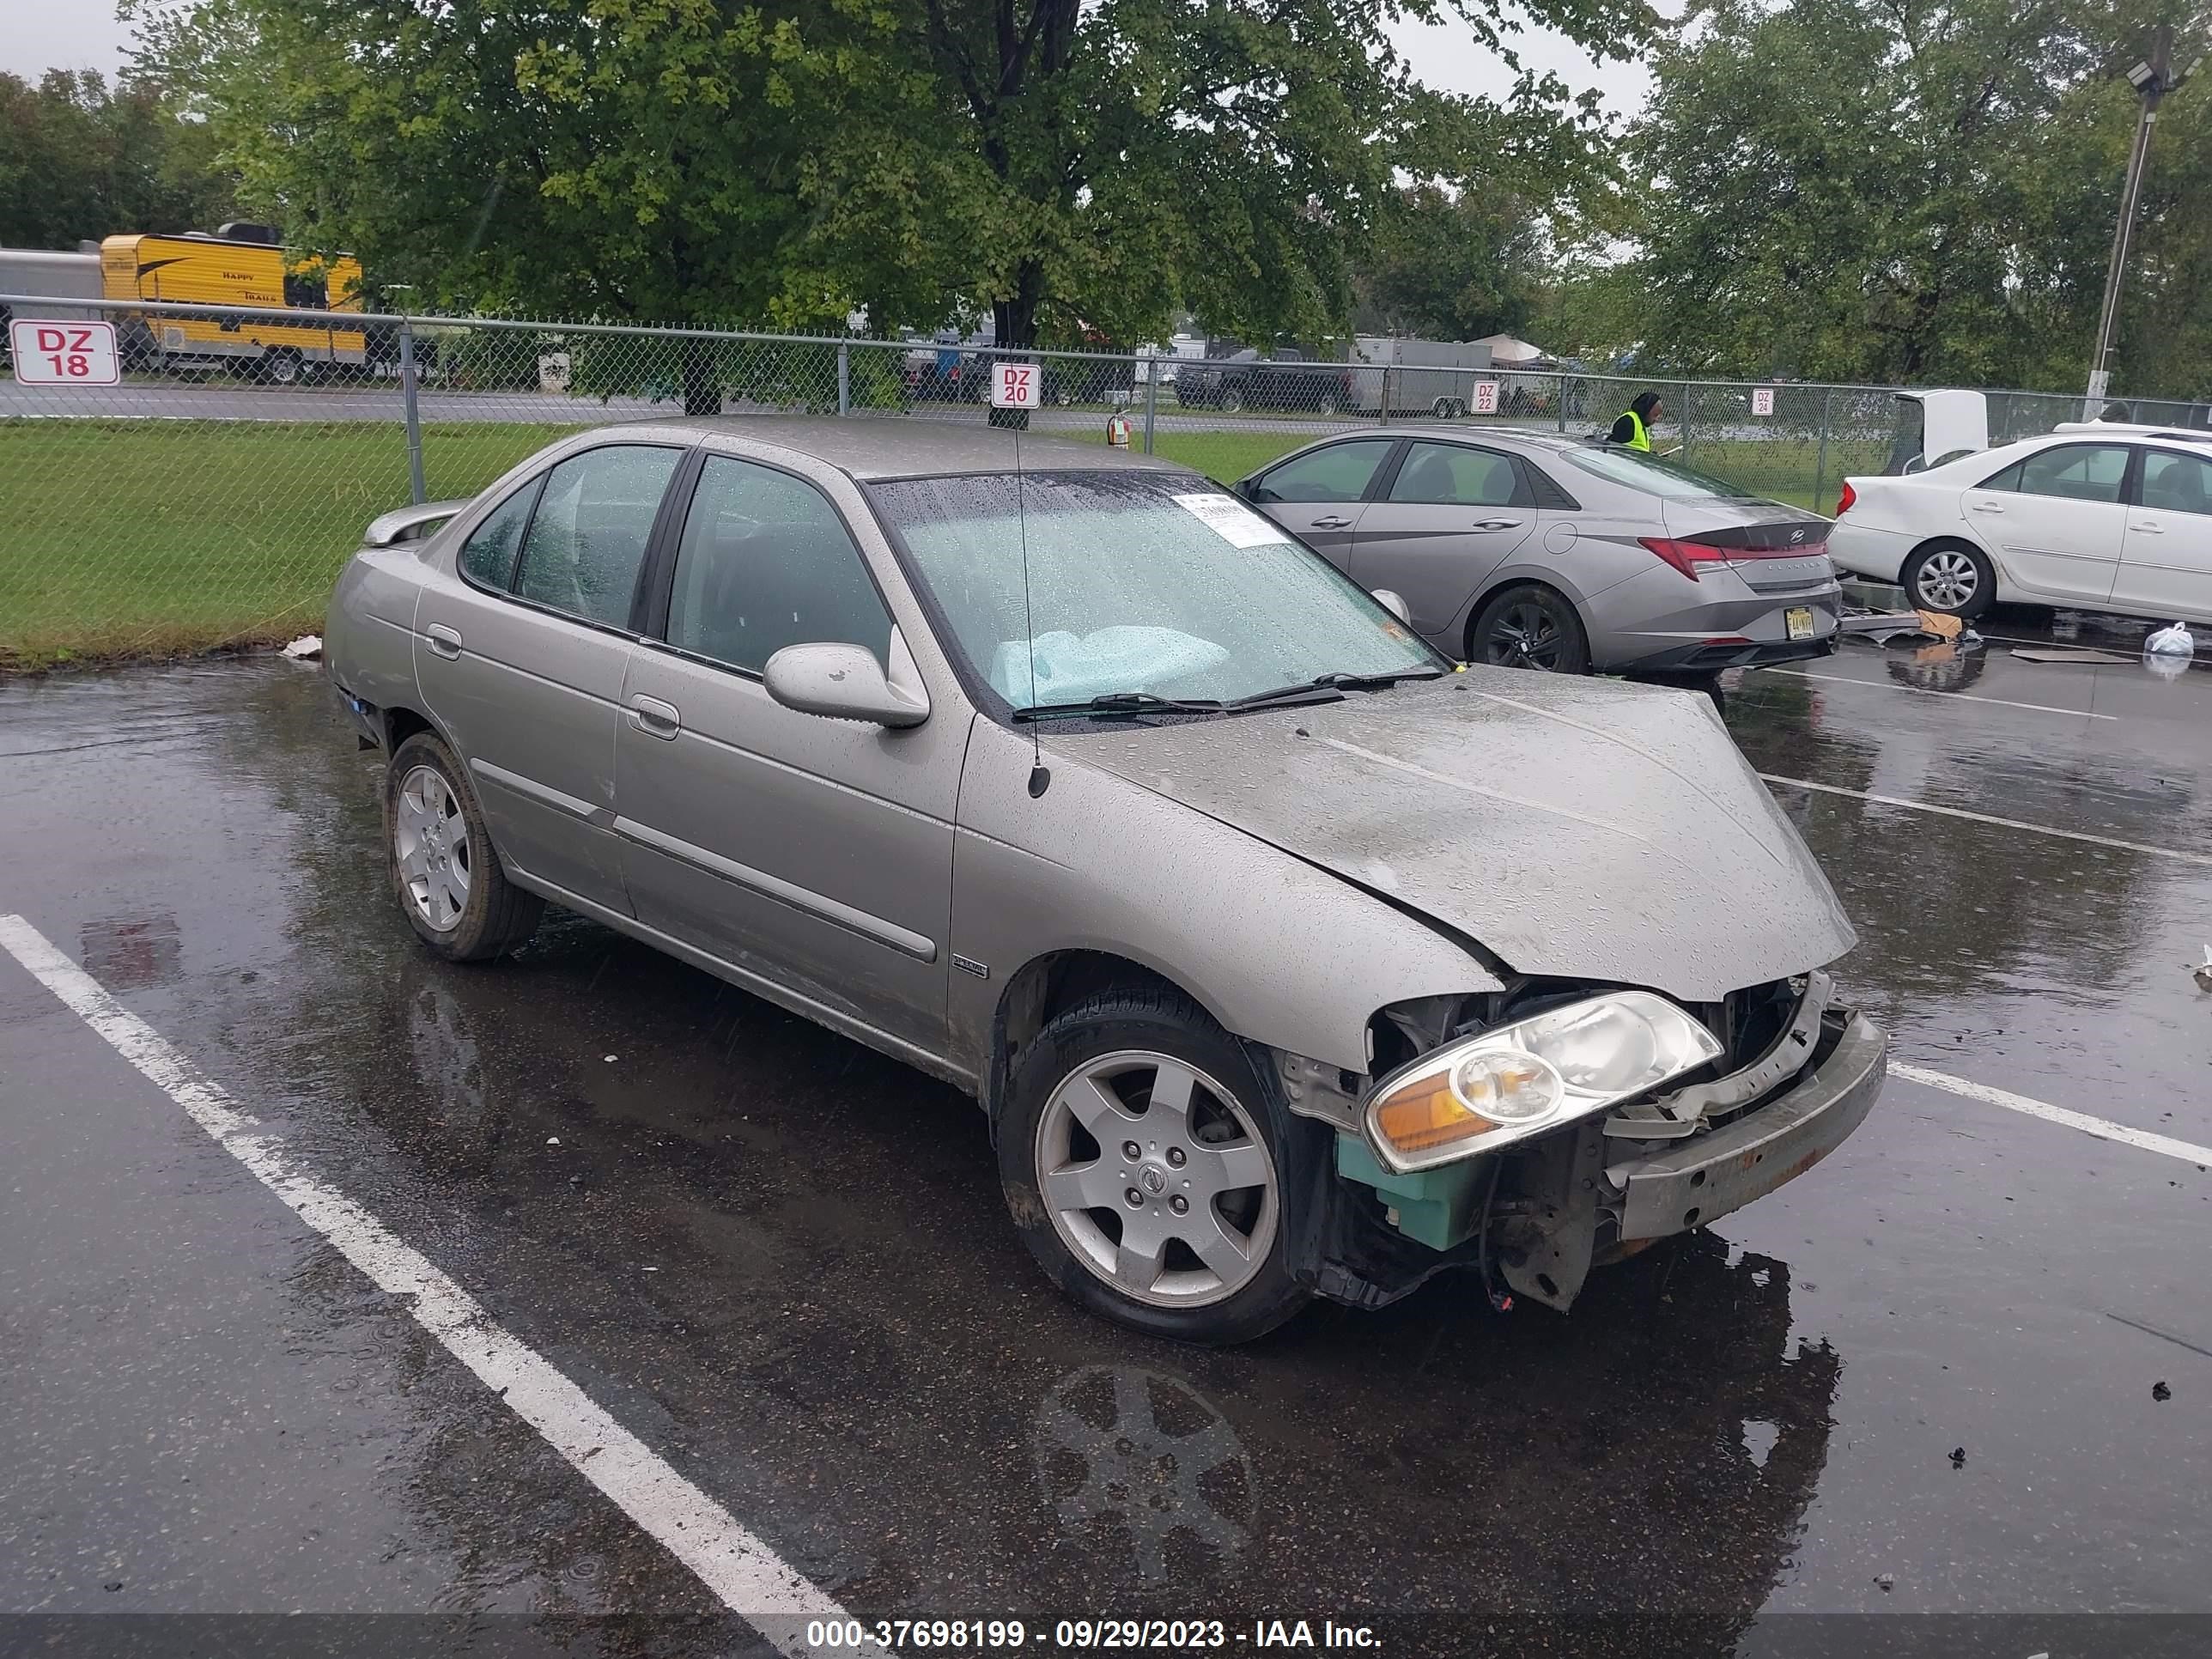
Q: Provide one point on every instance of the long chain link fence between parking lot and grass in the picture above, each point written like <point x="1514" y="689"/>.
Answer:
<point x="211" y="494"/>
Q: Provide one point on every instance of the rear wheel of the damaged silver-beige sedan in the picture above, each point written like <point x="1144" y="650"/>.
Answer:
<point x="446" y="873"/>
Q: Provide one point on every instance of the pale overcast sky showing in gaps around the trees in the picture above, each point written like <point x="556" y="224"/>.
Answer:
<point x="85" y="34"/>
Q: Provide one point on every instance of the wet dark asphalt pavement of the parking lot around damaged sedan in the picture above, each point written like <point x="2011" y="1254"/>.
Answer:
<point x="782" y="1260"/>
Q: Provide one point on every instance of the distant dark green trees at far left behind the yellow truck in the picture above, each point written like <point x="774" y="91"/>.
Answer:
<point x="85" y="160"/>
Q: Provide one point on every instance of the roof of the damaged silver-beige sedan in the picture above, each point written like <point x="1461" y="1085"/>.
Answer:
<point x="904" y="448"/>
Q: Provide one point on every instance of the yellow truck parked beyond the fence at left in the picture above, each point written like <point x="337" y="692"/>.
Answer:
<point x="238" y="267"/>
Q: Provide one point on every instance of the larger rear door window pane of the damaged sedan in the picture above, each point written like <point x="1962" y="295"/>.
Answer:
<point x="589" y="534"/>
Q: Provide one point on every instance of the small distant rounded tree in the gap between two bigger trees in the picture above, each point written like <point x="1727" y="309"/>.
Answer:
<point x="1450" y="267"/>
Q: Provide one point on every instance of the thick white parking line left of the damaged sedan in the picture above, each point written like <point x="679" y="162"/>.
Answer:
<point x="733" y="1563"/>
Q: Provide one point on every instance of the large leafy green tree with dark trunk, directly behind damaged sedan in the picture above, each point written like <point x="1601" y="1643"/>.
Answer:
<point x="1070" y="169"/>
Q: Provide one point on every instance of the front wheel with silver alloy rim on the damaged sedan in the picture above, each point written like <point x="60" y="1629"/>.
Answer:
<point x="1145" y="1162"/>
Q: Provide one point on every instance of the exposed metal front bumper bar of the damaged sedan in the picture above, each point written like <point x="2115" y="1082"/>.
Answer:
<point x="1775" y="1142"/>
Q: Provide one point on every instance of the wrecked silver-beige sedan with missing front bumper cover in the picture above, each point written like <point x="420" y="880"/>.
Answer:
<point x="1284" y="954"/>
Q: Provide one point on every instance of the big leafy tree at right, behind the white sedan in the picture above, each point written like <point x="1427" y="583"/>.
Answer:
<point x="1884" y="189"/>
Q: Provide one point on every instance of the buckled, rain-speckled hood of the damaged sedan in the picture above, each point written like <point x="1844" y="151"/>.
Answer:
<point x="1572" y="828"/>
